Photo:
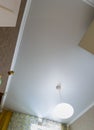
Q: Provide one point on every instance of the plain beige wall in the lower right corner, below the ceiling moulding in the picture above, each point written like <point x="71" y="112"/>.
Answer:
<point x="85" y="122"/>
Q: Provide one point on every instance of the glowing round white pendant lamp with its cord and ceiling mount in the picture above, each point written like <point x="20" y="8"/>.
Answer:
<point x="63" y="110"/>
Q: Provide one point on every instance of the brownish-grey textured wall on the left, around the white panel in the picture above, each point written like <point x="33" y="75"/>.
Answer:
<point x="8" y="39"/>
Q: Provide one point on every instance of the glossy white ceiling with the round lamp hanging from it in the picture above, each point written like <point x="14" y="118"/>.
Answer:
<point x="50" y="53"/>
